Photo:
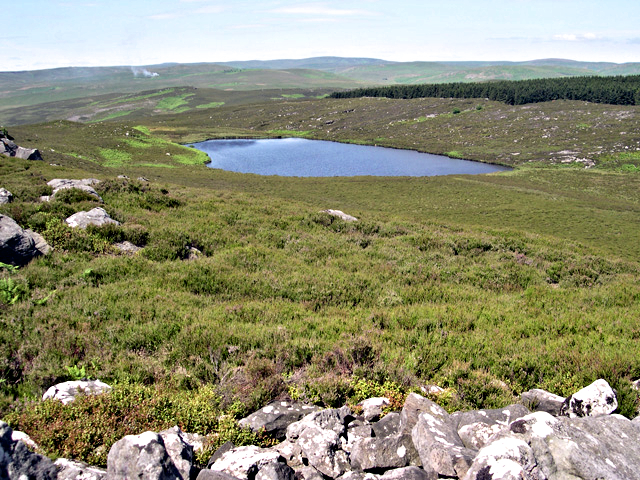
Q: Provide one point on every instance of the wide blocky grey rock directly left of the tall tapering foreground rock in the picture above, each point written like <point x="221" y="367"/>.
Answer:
<point x="395" y="451"/>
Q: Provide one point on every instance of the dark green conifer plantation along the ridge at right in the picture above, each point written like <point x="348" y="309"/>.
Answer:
<point x="618" y="90"/>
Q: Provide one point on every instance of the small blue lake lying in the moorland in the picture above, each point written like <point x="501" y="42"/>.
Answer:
<point x="298" y="157"/>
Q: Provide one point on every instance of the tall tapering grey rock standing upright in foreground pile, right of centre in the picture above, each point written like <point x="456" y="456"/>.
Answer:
<point x="438" y="444"/>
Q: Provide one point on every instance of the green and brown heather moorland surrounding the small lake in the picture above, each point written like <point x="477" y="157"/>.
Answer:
<point x="485" y="285"/>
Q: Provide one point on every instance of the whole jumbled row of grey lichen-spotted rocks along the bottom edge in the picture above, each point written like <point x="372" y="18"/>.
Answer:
<point x="573" y="438"/>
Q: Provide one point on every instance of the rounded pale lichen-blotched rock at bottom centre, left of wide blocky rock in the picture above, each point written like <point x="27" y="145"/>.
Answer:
<point x="322" y="449"/>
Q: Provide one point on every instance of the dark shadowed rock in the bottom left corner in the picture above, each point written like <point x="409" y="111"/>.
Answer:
<point x="17" y="461"/>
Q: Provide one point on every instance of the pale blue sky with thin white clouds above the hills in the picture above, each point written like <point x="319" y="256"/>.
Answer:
<point x="61" y="33"/>
